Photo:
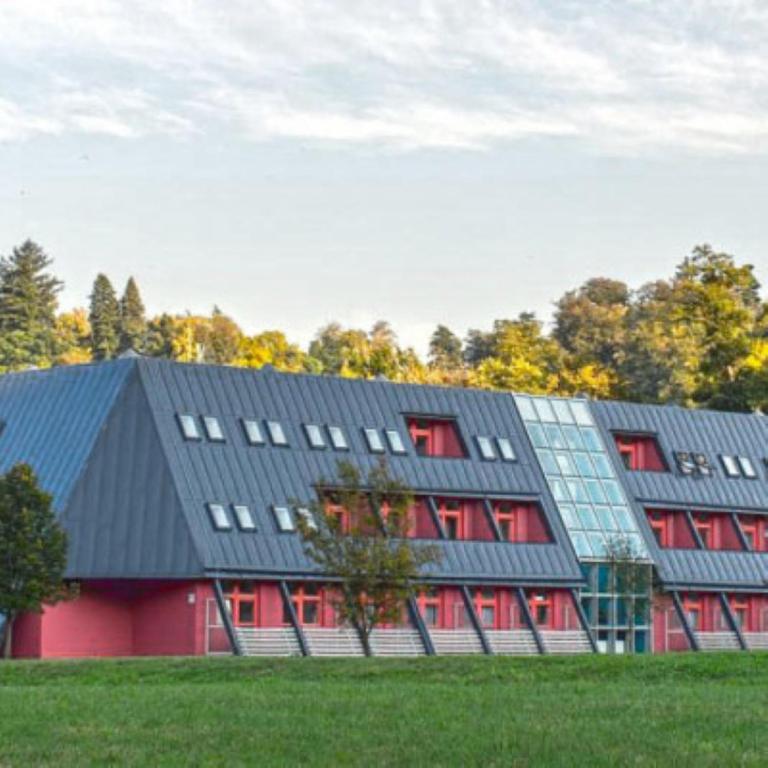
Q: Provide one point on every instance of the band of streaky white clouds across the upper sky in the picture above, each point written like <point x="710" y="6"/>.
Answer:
<point x="684" y="75"/>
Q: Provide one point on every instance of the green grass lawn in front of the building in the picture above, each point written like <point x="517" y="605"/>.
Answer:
<point x="675" y="710"/>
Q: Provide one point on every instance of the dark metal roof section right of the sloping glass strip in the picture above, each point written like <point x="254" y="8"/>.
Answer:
<point x="712" y="433"/>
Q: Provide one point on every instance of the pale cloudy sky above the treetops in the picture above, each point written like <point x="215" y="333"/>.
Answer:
<point x="424" y="162"/>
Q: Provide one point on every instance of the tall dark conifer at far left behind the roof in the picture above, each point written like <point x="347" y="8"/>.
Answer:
<point x="28" y="301"/>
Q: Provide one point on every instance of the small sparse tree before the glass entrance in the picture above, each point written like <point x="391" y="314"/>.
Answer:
<point x="632" y="582"/>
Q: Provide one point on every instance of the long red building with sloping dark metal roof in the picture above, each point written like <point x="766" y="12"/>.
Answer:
<point x="179" y="487"/>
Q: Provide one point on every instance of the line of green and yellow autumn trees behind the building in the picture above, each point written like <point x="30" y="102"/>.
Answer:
<point x="698" y="338"/>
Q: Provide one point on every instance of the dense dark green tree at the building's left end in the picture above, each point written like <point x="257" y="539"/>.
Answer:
<point x="33" y="548"/>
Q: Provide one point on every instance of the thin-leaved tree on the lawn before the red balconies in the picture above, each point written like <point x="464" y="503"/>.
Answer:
<point x="376" y="566"/>
